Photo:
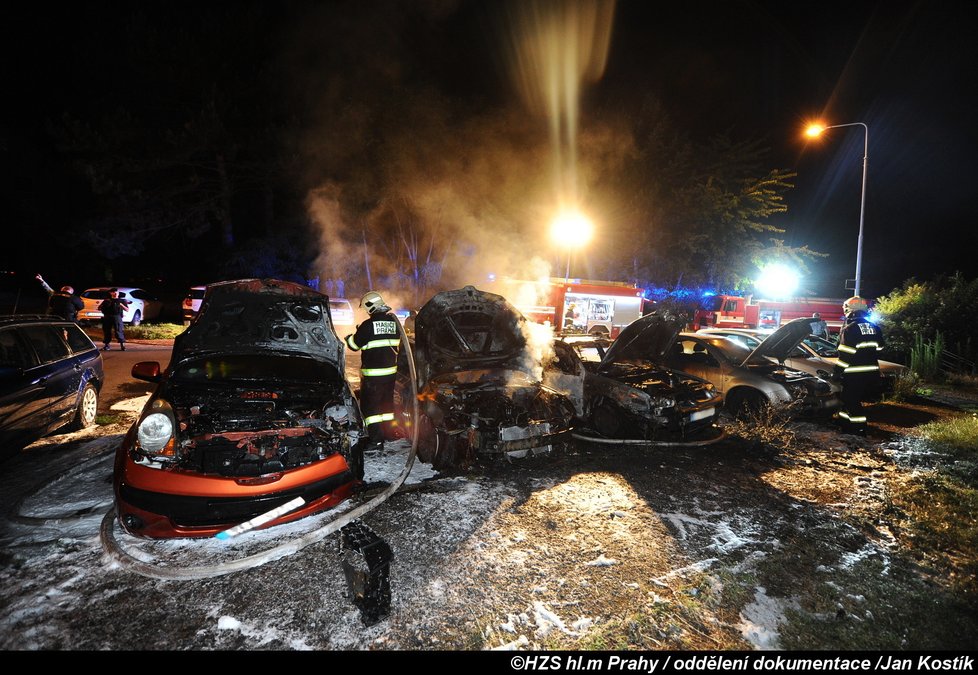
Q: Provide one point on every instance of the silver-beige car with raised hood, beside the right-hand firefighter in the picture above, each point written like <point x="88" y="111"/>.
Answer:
<point x="749" y="378"/>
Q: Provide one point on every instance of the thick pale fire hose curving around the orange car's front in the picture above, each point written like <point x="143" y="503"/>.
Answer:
<point x="116" y="553"/>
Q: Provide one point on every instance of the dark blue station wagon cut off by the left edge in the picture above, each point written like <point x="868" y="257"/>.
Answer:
<point x="50" y="377"/>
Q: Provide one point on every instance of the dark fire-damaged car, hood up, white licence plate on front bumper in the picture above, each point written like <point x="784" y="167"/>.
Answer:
<point x="621" y="390"/>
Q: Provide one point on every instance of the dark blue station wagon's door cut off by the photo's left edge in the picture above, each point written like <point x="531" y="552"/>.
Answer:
<point x="21" y="399"/>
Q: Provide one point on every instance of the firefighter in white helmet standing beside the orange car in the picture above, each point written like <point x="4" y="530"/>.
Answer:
<point x="378" y="340"/>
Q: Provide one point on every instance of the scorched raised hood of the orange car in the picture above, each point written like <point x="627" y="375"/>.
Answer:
<point x="261" y="315"/>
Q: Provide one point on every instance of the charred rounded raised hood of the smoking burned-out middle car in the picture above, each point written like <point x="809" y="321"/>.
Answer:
<point x="468" y="329"/>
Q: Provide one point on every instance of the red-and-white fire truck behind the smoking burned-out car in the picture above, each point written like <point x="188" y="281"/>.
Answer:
<point x="575" y="305"/>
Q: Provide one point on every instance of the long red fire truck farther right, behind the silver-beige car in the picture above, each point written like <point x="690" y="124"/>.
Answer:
<point x="732" y="311"/>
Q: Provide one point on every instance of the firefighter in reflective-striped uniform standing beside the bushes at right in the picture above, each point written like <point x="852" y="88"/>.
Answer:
<point x="860" y="341"/>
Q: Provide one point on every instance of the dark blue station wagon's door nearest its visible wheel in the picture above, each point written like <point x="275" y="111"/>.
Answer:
<point x="56" y="372"/>
